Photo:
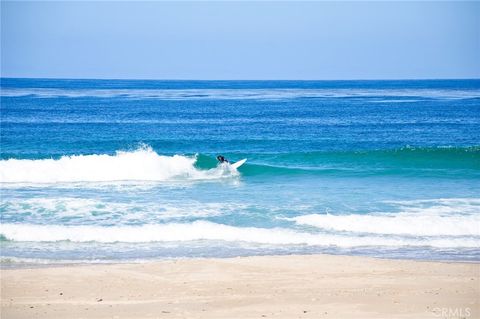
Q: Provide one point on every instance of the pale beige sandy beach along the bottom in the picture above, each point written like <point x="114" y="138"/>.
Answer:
<point x="318" y="286"/>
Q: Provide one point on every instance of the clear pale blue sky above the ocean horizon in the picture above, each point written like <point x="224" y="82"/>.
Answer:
<point x="240" y="40"/>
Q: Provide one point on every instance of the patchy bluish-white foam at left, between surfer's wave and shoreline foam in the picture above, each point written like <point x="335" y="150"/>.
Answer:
<point x="97" y="211"/>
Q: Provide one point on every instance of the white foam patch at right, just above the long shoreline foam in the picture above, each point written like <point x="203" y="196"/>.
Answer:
<point x="439" y="217"/>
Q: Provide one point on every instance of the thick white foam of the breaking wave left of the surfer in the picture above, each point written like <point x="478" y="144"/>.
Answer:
<point x="141" y="165"/>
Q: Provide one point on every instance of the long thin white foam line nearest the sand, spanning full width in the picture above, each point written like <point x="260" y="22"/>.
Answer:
<point x="204" y="230"/>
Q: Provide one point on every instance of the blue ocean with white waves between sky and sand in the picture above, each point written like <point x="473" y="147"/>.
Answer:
<point x="101" y="171"/>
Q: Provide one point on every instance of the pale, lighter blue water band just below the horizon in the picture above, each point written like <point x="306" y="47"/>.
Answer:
<point x="242" y="94"/>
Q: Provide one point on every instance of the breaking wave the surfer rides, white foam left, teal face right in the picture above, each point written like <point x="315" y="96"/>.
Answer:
<point x="144" y="164"/>
